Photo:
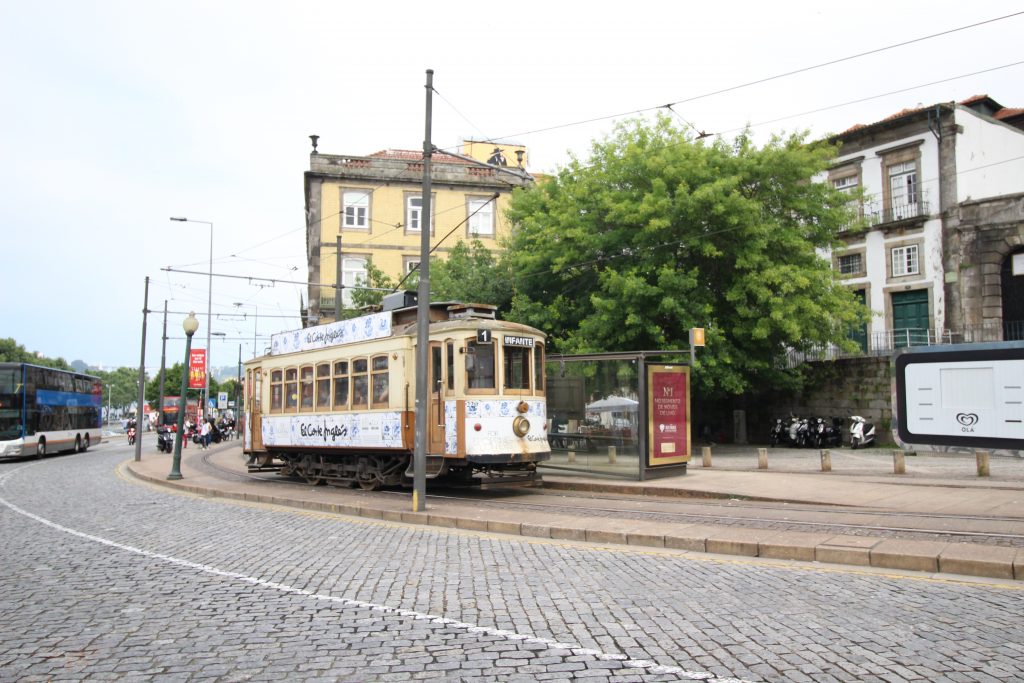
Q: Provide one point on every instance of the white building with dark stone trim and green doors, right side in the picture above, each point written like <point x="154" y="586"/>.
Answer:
<point x="942" y="260"/>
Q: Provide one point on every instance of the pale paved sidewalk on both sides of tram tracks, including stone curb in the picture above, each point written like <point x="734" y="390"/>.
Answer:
<point x="934" y="485"/>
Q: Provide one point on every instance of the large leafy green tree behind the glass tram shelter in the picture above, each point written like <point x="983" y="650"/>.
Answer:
<point x="658" y="233"/>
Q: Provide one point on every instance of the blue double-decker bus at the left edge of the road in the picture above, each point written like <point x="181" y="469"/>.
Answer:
<point x="44" y="410"/>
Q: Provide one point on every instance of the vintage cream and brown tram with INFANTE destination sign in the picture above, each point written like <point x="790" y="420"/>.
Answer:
<point x="336" y="403"/>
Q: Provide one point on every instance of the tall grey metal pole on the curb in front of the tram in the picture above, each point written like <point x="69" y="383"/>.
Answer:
<point x="423" y="323"/>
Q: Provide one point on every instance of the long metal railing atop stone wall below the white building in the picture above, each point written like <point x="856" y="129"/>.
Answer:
<point x="885" y="344"/>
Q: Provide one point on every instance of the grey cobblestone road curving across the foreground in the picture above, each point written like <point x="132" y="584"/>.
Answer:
<point x="103" y="578"/>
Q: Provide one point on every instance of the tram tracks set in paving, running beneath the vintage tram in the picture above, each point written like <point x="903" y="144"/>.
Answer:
<point x="979" y="530"/>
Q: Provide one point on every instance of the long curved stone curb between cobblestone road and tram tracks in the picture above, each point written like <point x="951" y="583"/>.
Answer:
<point x="857" y="551"/>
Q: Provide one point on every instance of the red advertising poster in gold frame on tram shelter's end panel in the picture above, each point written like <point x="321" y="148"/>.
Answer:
<point x="669" y="411"/>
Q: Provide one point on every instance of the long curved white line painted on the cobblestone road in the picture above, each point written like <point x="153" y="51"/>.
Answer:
<point x="652" y="667"/>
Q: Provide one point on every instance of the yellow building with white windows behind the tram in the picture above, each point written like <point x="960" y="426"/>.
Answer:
<point x="372" y="207"/>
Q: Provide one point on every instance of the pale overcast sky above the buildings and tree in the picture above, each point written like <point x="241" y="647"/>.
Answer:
<point x="115" y="116"/>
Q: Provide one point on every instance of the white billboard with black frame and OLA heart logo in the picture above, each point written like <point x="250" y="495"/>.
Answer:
<point x="966" y="396"/>
